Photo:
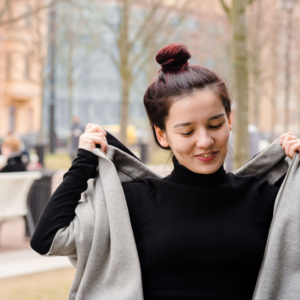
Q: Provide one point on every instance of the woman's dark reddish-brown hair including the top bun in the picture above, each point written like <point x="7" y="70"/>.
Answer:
<point x="176" y="80"/>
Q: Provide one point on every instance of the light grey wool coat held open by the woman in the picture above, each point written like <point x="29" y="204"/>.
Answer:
<point x="100" y="244"/>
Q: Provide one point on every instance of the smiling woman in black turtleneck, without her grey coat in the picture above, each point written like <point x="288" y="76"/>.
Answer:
<point x="200" y="232"/>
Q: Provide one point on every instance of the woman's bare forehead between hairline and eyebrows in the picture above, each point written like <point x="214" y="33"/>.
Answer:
<point x="198" y="107"/>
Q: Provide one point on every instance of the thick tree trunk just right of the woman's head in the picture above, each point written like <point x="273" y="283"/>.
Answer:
<point x="240" y="71"/>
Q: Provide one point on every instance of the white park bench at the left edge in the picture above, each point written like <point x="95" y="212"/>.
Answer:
<point x="14" y="189"/>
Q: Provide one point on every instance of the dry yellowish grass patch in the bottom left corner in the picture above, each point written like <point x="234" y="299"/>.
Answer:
<point x="53" y="285"/>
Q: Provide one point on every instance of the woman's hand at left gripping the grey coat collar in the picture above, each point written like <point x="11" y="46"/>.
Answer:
<point x="93" y="135"/>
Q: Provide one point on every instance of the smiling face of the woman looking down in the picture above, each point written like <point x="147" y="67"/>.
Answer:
<point x="197" y="130"/>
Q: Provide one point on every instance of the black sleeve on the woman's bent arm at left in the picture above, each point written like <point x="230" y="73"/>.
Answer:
<point x="60" y="209"/>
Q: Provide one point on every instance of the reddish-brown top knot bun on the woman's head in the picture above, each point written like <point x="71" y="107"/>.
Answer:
<point x="173" y="57"/>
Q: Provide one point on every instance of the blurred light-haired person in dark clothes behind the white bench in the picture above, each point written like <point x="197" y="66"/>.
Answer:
<point x="11" y="149"/>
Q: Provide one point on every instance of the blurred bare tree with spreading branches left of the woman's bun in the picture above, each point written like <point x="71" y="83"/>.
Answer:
<point x="135" y="28"/>
